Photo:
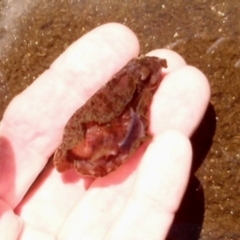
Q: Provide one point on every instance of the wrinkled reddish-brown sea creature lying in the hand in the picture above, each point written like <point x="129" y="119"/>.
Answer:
<point x="113" y="123"/>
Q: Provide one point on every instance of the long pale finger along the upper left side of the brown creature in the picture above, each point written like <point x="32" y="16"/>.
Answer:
<point x="33" y="123"/>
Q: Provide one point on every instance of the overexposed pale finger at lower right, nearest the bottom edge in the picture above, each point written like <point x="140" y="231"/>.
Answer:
<point x="159" y="187"/>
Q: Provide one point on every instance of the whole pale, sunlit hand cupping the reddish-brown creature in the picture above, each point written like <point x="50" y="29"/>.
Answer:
<point x="140" y="199"/>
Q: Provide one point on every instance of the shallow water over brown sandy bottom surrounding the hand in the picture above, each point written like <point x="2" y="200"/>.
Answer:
<point x="206" y="33"/>
